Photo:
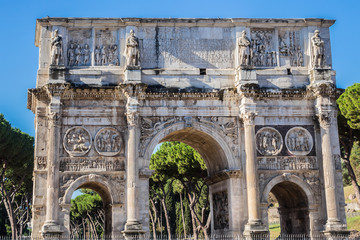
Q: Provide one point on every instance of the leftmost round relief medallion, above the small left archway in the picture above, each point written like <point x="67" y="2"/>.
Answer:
<point x="77" y="141"/>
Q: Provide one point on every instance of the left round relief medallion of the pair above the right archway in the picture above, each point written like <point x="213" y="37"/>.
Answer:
<point x="268" y="141"/>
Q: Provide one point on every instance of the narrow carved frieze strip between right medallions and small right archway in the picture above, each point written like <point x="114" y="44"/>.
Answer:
<point x="287" y="163"/>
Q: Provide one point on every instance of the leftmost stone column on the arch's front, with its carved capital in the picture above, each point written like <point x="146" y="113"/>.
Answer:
<point x="51" y="228"/>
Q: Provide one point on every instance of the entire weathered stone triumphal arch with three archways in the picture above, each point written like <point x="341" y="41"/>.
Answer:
<point x="255" y="97"/>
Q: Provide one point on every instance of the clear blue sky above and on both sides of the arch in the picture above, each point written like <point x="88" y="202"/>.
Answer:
<point x="19" y="56"/>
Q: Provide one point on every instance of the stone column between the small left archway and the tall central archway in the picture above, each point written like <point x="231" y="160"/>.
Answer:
<point x="132" y="92"/>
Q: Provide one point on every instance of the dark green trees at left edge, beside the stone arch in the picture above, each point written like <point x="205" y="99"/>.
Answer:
<point x="17" y="159"/>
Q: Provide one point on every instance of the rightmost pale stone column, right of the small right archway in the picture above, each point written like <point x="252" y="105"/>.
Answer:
<point x="325" y="119"/>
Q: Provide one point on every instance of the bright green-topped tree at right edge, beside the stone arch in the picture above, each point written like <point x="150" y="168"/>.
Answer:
<point x="349" y="130"/>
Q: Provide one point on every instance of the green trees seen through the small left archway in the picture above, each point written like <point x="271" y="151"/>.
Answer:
<point x="87" y="216"/>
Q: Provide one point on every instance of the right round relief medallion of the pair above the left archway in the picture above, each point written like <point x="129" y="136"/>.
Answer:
<point x="108" y="141"/>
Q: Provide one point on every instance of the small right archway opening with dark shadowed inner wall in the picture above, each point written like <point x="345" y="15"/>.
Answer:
<point x="292" y="207"/>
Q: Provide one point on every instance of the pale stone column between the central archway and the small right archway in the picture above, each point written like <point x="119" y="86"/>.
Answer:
<point x="254" y="224"/>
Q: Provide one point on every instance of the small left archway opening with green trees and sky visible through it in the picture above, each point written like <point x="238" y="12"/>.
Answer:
<point x="90" y="212"/>
